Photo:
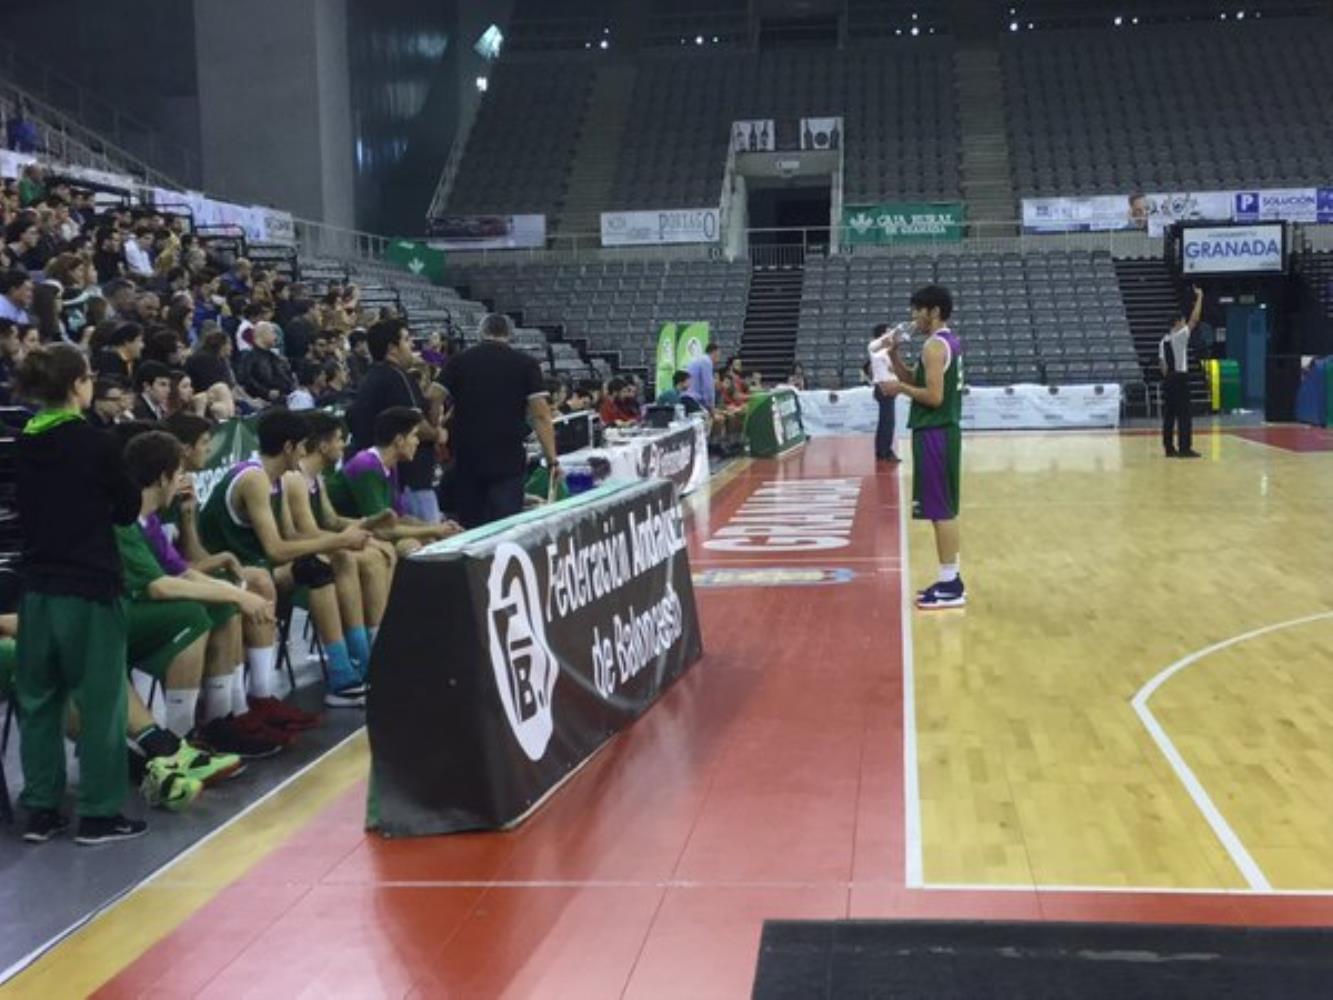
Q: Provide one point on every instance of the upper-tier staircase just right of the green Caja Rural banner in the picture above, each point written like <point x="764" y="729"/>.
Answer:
<point x="987" y="166"/>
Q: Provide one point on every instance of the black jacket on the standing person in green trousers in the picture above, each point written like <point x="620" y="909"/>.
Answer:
<point x="73" y="490"/>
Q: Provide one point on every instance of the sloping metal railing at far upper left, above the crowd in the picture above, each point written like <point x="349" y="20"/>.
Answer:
<point x="82" y="113"/>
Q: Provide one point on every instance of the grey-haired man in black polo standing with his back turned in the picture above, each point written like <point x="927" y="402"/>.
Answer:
<point x="497" y="393"/>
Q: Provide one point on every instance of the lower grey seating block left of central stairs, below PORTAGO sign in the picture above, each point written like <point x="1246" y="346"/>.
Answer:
<point x="615" y="307"/>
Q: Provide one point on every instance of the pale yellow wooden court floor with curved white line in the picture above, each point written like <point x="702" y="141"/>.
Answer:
<point x="1095" y="566"/>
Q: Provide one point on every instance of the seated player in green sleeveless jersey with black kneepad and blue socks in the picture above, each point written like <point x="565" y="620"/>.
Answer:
<point x="241" y="517"/>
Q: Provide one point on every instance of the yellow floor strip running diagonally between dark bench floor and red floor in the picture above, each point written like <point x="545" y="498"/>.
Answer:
<point x="114" y="941"/>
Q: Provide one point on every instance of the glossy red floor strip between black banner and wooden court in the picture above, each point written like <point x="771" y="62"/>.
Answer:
<point x="768" y="783"/>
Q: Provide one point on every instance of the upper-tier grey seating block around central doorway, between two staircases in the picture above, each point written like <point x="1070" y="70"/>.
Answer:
<point x="902" y="126"/>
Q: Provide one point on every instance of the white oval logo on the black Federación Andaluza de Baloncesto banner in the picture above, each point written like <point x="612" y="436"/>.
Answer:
<point x="526" y="669"/>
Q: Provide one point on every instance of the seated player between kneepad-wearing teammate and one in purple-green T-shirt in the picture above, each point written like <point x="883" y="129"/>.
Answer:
<point x="309" y="514"/>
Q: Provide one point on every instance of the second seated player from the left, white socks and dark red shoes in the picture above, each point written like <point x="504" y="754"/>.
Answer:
<point x="189" y="551"/>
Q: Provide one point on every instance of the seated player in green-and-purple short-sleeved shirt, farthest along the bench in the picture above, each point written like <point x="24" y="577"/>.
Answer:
<point x="369" y="487"/>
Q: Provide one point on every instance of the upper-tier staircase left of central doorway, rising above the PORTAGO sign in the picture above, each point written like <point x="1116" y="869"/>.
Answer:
<point x="594" y="175"/>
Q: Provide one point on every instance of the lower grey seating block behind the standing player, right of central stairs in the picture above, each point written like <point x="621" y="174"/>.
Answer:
<point x="1055" y="318"/>
